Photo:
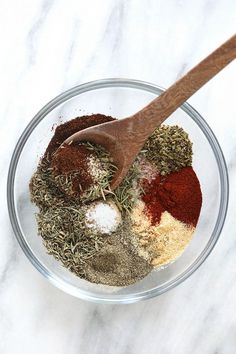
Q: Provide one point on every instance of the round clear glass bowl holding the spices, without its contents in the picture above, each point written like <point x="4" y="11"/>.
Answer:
<point x="118" y="98"/>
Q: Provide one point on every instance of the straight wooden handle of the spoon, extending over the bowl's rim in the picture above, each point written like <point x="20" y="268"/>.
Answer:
<point x="162" y="107"/>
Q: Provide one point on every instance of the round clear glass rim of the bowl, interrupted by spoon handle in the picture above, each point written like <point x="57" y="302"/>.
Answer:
<point x="112" y="298"/>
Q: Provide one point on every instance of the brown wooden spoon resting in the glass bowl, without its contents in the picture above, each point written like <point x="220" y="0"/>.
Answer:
<point x="124" y="138"/>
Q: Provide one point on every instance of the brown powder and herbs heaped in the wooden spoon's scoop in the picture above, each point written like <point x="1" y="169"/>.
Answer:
<point x="82" y="170"/>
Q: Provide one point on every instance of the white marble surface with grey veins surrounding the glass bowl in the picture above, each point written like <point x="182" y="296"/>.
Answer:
<point x="49" y="46"/>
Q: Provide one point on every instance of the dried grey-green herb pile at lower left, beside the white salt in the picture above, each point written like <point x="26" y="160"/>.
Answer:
<point x="67" y="238"/>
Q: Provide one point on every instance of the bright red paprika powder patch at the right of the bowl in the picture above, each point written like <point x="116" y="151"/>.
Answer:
<point x="179" y="193"/>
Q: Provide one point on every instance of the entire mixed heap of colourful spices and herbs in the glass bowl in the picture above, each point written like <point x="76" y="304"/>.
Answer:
<point x="116" y="237"/>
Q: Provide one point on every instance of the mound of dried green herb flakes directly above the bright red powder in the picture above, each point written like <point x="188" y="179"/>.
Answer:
<point x="169" y="149"/>
